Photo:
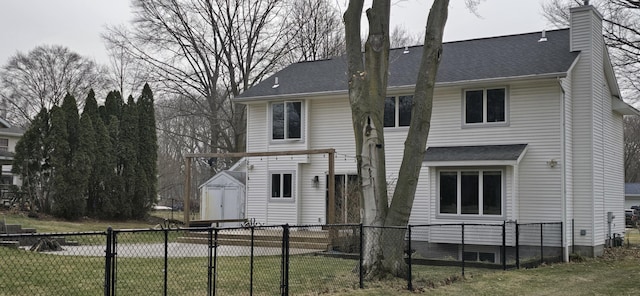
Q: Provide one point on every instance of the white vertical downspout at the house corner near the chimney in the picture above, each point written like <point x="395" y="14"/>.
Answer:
<point x="563" y="161"/>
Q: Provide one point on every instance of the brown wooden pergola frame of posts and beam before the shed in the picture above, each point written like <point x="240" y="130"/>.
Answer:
<point x="331" y="184"/>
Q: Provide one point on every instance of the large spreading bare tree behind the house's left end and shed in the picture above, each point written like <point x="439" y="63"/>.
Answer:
<point x="207" y="52"/>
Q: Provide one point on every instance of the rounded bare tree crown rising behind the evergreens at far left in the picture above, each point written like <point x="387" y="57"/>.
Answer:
<point x="42" y="77"/>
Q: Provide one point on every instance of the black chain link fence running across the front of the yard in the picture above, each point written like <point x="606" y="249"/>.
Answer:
<point x="262" y="260"/>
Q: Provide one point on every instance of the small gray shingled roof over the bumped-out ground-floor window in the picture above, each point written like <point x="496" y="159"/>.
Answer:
<point x="467" y="153"/>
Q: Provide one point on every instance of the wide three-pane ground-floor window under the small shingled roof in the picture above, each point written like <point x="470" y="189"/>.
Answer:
<point x="471" y="192"/>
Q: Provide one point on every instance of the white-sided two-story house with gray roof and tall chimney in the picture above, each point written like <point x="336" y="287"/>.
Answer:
<point x="525" y="127"/>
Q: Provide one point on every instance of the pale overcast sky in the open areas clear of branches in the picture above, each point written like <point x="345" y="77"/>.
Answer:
<point x="77" y="24"/>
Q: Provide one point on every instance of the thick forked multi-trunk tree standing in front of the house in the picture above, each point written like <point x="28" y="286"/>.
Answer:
<point x="368" y="74"/>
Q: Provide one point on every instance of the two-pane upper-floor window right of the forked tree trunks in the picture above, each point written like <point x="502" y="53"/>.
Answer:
<point x="485" y="106"/>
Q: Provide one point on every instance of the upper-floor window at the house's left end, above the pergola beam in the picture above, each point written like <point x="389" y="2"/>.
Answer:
<point x="286" y="120"/>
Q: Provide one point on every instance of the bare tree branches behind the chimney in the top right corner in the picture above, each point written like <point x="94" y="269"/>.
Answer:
<point x="621" y="31"/>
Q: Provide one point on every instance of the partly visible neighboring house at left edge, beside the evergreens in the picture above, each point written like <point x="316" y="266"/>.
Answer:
<point x="9" y="136"/>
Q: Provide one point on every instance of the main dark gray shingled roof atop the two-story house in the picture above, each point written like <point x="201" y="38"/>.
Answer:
<point x="486" y="58"/>
